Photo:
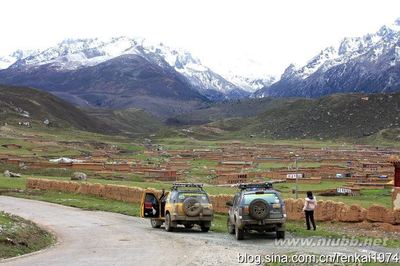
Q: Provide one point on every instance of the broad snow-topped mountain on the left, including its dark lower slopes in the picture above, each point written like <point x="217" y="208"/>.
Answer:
<point x="130" y="69"/>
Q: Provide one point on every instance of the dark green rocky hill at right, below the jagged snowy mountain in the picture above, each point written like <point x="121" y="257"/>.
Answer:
<point x="335" y="116"/>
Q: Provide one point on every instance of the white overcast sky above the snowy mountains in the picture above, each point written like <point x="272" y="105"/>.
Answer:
<point x="248" y="37"/>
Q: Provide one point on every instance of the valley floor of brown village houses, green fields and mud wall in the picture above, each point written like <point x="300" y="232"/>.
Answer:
<point x="357" y="186"/>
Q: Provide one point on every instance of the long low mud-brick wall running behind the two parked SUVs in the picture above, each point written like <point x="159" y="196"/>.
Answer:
<point x="325" y="211"/>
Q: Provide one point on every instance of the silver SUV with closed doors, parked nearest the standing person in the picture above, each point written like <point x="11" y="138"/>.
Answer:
<point x="256" y="207"/>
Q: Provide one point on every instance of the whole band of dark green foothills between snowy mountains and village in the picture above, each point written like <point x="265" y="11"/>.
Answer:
<point x="373" y="117"/>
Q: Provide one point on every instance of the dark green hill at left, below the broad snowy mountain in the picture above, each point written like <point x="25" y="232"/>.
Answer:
<point x="22" y="104"/>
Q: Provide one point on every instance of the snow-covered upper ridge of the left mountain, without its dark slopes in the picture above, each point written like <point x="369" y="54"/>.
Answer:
<point x="81" y="53"/>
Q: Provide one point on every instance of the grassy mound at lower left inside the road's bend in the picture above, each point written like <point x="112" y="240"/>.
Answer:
<point x="19" y="236"/>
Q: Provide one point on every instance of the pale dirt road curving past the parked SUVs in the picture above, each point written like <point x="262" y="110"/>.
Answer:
<point x="101" y="238"/>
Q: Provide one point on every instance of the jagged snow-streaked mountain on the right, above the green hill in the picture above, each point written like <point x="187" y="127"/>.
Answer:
<point x="369" y="63"/>
